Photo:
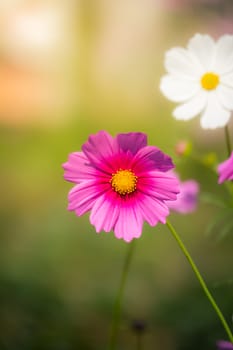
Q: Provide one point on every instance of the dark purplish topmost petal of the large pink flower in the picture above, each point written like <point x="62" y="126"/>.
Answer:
<point x="132" y="141"/>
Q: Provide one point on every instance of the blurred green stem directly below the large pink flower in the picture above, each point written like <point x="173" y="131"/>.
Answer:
<point x="118" y="301"/>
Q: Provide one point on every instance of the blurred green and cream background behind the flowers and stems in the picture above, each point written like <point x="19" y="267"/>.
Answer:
<point x="68" y="69"/>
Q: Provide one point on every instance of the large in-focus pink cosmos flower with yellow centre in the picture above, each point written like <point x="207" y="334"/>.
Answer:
<point x="122" y="182"/>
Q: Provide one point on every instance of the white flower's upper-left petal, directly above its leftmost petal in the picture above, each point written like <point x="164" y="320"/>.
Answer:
<point x="181" y="63"/>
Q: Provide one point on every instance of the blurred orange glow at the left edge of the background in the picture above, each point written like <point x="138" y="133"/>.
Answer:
<point x="23" y="95"/>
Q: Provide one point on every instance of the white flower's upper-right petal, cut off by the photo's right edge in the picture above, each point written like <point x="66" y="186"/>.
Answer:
<point x="224" y="54"/>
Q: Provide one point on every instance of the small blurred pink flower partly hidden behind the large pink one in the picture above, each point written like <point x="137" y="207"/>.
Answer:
<point x="186" y="201"/>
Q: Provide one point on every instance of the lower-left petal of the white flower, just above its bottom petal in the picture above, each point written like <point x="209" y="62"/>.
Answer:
<point x="191" y="108"/>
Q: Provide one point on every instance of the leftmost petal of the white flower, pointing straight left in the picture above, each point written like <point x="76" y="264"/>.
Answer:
<point x="178" y="90"/>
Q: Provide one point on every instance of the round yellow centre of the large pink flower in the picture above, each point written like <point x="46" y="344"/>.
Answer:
<point x="124" y="181"/>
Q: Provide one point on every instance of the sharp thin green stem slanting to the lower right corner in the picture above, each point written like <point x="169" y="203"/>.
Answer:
<point x="201" y="281"/>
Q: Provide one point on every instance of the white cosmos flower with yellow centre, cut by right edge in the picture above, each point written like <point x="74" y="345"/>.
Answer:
<point x="200" y="78"/>
